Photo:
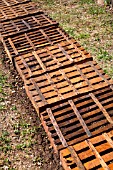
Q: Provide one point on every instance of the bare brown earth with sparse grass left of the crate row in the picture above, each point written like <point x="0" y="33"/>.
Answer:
<point x="23" y="142"/>
